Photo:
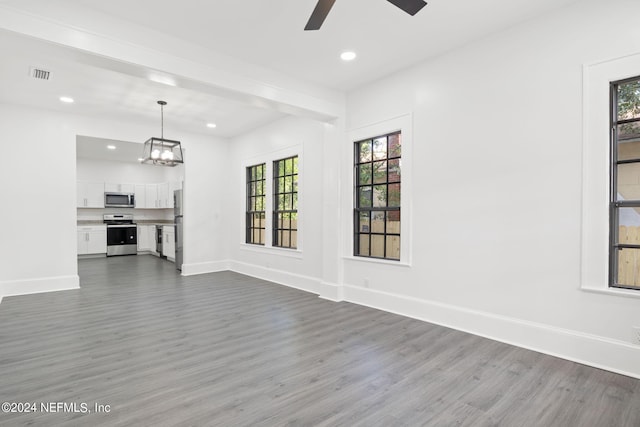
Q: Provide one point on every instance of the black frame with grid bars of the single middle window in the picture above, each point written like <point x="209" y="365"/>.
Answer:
<point x="370" y="210"/>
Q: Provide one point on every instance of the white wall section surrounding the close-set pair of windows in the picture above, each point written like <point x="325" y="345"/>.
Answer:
<point x="303" y="267"/>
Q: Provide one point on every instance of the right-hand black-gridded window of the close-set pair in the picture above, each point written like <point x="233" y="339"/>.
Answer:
<point x="285" y="202"/>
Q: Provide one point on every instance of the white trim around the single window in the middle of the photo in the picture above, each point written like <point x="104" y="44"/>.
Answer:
<point x="404" y="124"/>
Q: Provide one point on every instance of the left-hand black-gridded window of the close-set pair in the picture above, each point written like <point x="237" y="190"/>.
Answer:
<point x="255" y="214"/>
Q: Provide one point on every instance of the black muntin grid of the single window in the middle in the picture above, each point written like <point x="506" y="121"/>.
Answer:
<point x="370" y="209"/>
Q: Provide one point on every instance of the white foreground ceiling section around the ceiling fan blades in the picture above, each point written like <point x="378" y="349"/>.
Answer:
<point x="270" y="32"/>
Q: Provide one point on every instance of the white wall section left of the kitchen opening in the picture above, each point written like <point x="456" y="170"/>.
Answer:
<point x="38" y="242"/>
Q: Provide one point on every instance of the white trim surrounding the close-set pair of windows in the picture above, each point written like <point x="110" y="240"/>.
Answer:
<point x="268" y="159"/>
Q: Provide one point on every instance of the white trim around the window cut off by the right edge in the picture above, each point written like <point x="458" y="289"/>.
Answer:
<point x="595" y="171"/>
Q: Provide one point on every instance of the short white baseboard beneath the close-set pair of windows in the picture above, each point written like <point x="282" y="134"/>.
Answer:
<point x="305" y="283"/>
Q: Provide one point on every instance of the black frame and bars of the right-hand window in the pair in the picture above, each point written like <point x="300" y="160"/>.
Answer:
<point x="277" y="229"/>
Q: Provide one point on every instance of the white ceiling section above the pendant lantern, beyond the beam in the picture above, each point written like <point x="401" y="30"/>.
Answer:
<point x="99" y="91"/>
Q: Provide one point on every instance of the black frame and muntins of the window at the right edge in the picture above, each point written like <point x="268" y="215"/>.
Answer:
<point x="615" y="247"/>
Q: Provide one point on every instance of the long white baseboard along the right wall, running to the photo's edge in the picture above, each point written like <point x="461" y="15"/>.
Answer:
<point x="603" y="353"/>
